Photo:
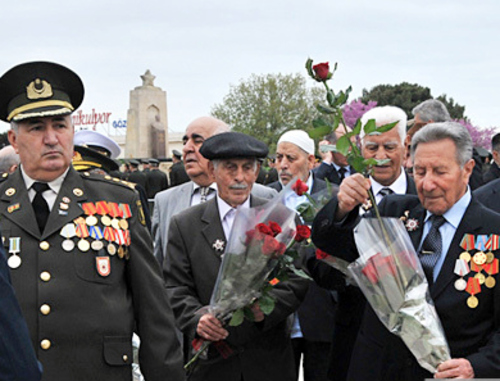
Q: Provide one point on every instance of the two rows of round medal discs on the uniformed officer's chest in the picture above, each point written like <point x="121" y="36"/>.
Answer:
<point x="97" y="245"/>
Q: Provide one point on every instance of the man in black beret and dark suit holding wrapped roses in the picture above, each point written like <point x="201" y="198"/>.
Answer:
<point x="261" y="350"/>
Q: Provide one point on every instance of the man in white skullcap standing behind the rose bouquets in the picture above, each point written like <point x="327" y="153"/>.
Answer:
<point x="313" y="324"/>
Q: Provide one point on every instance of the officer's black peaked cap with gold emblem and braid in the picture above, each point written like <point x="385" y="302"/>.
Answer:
<point x="39" y="89"/>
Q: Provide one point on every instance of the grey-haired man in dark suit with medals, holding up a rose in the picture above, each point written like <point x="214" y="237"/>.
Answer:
<point x="444" y="213"/>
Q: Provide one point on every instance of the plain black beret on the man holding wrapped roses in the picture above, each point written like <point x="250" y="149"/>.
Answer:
<point x="230" y="145"/>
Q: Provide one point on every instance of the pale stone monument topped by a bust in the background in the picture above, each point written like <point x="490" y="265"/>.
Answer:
<point x="147" y="128"/>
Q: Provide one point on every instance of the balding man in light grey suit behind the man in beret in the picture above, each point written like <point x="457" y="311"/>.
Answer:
<point x="201" y="187"/>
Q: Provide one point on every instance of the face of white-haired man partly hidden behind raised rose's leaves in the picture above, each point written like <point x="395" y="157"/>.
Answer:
<point x="385" y="146"/>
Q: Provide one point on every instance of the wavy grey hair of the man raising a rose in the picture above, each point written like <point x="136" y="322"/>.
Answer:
<point x="447" y="130"/>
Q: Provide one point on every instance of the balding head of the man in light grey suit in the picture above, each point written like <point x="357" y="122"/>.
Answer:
<point x="197" y="132"/>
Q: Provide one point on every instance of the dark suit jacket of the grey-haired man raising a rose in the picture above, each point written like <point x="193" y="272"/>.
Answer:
<point x="471" y="333"/>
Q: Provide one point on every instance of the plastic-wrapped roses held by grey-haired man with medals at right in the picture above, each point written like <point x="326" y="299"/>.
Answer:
<point x="390" y="275"/>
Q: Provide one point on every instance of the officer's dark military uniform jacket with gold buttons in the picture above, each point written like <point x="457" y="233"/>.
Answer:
<point x="80" y="319"/>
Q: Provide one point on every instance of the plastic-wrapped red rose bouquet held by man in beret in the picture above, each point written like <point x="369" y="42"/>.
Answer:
<point x="255" y="259"/>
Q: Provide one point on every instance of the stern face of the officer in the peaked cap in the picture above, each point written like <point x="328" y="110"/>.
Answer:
<point x="44" y="145"/>
